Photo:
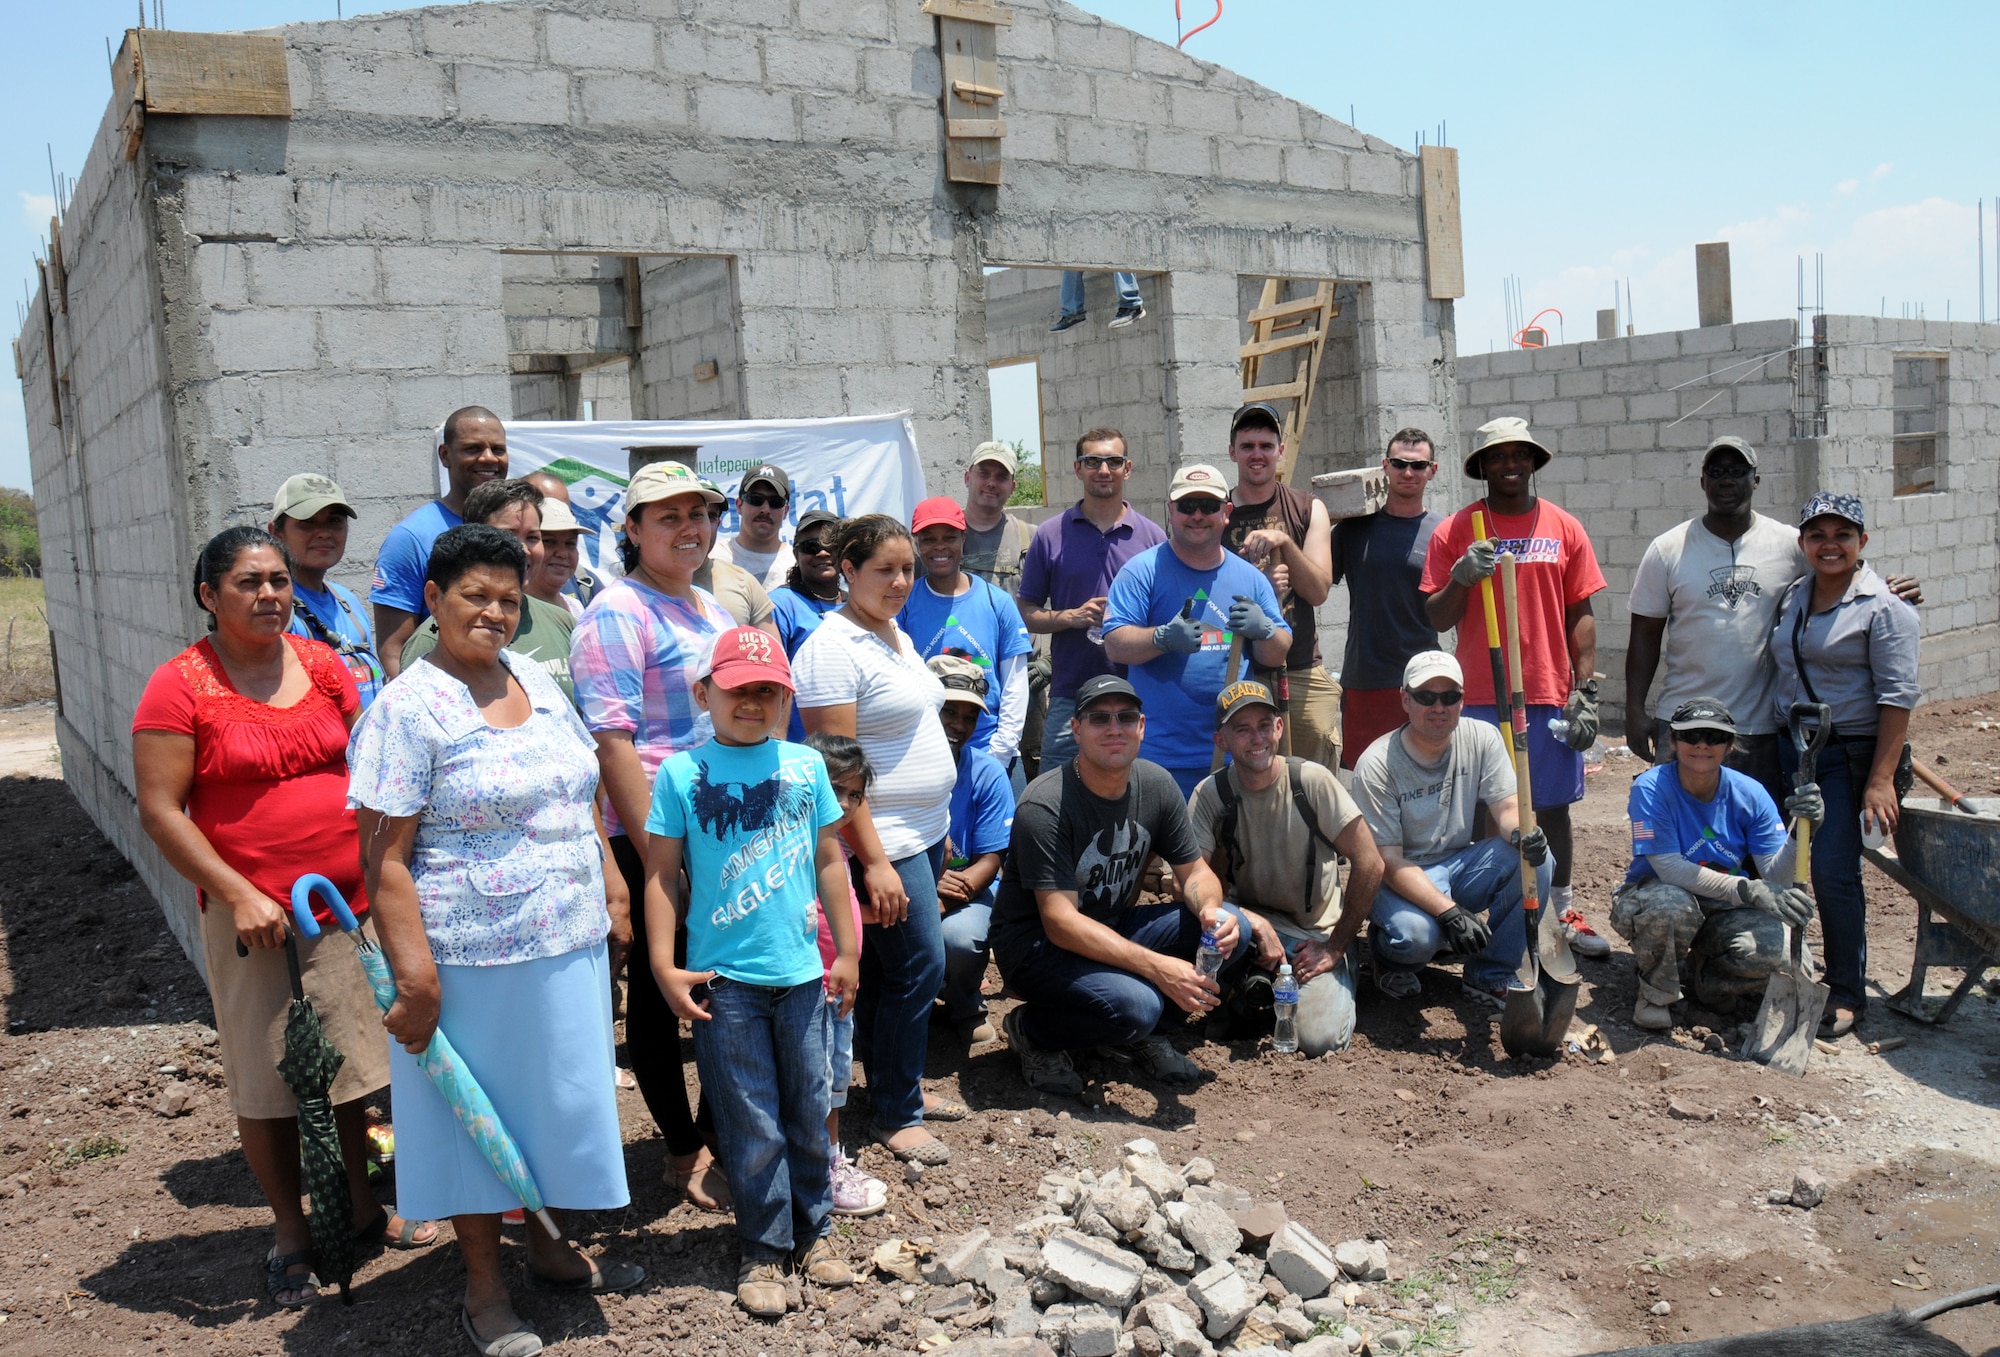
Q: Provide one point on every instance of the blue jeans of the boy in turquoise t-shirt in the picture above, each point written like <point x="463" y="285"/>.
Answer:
<point x="763" y="1062"/>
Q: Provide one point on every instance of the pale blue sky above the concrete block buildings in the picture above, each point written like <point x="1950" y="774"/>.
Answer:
<point x="1597" y="143"/>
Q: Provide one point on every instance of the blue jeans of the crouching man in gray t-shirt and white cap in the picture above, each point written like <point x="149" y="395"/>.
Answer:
<point x="1483" y="880"/>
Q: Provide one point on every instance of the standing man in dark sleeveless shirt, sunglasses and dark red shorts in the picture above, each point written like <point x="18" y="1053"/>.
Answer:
<point x="1381" y="559"/>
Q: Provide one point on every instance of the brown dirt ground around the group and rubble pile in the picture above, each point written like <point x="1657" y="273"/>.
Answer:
<point x="1531" y="1208"/>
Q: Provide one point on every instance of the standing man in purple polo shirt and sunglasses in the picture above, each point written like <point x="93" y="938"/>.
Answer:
<point x="1067" y="579"/>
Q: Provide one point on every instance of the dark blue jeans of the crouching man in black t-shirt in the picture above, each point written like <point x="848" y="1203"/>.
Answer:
<point x="1075" y="1002"/>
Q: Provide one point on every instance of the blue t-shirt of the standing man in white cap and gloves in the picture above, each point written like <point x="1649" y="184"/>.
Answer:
<point x="1179" y="692"/>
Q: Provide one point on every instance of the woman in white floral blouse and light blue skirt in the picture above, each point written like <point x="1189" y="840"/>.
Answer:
<point x="475" y="788"/>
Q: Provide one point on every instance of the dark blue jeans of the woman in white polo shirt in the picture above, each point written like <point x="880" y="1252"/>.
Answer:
<point x="903" y="970"/>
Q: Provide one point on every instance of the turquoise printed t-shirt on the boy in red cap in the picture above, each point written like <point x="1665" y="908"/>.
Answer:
<point x="751" y="818"/>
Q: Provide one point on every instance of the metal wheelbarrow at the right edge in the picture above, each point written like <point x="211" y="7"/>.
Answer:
<point x="1949" y="860"/>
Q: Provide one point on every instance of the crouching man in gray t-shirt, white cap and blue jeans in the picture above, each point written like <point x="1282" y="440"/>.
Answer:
<point x="1421" y="790"/>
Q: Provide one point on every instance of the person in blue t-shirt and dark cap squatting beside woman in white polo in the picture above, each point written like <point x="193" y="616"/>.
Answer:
<point x="983" y="822"/>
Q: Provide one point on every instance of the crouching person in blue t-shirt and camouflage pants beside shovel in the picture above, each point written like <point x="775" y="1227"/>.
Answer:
<point x="1687" y="900"/>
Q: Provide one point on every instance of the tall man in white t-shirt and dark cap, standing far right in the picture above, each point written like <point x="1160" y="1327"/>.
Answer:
<point x="1705" y="599"/>
